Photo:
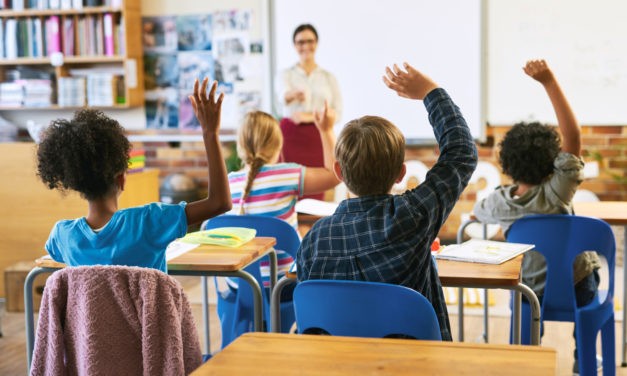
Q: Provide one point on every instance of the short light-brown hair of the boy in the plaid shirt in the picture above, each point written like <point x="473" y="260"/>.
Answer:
<point x="370" y="151"/>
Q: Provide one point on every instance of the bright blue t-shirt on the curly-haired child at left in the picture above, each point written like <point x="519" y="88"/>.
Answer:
<point x="134" y="237"/>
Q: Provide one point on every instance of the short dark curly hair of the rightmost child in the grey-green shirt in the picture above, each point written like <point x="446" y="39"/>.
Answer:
<point x="527" y="152"/>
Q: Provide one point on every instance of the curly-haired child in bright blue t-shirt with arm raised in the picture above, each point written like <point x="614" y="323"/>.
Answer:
<point x="89" y="154"/>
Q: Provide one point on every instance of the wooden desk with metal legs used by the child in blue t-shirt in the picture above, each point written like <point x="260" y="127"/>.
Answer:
<point x="206" y="260"/>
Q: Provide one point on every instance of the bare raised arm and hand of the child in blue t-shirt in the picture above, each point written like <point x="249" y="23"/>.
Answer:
<point x="208" y="110"/>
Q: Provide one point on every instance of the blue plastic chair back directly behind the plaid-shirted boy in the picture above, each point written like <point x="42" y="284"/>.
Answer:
<point x="363" y="309"/>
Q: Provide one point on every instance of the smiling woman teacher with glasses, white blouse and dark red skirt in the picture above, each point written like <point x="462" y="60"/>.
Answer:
<point x="303" y="89"/>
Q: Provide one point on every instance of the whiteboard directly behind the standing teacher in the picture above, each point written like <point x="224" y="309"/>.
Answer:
<point x="357" y="39"/>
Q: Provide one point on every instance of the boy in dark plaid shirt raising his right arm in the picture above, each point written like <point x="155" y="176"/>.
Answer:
<point x="384" y="238"/>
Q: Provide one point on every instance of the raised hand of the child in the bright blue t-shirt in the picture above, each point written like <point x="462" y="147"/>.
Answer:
<point x="206" y="108"/>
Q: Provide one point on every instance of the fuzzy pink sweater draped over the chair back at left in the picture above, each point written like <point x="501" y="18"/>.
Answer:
<point x="114" y="320"/>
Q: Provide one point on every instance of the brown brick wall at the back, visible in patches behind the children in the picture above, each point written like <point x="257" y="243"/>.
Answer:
<point x="606" y="145"/>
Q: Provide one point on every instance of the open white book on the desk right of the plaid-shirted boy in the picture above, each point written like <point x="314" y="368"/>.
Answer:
<point x="483" y="251"/>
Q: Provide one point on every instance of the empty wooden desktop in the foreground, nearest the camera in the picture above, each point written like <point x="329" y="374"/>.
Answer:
<point x="275" y="354"/>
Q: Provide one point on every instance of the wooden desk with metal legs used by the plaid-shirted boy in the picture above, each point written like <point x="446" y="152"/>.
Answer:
<point x="458" y="274"/>
